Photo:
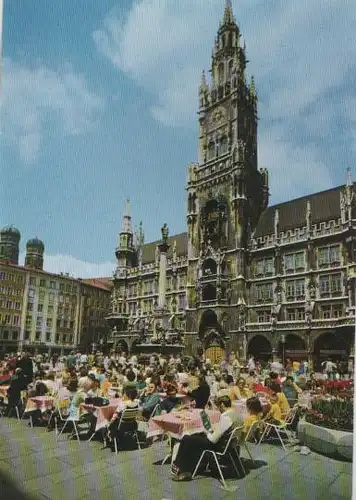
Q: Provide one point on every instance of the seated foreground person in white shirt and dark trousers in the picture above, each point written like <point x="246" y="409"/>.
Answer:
<point x="191" y="447"/>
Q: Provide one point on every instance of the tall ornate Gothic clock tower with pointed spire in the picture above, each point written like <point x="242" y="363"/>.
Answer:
<point x="226" y="192"/>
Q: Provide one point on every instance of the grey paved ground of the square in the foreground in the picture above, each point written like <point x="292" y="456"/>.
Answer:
<point x="34" y="467"/>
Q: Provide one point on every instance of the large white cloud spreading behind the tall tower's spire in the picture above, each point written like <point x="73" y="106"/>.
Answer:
<point x="299" y="52"/>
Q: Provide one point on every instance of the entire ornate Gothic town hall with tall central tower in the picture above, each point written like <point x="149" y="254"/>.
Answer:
<point x="245" y="277"/>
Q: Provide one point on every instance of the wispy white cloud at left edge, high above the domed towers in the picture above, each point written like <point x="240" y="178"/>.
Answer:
<point x="38" y="99"/>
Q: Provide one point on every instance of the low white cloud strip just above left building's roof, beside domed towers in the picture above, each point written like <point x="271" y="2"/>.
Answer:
<point x="75" y="267"/>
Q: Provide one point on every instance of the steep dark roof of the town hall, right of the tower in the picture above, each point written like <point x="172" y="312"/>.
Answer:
<point x="324" y="206"/>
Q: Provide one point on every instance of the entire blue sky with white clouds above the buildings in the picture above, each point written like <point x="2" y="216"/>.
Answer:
<point x="100" y="104"/>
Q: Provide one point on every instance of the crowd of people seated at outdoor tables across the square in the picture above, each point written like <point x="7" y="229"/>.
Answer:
<point x="141" y="381"/>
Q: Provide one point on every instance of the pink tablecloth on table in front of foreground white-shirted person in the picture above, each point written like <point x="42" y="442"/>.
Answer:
<point x="177" y="424"/>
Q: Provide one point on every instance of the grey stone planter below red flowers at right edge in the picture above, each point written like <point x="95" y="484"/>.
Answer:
<point x="326" y="441"/>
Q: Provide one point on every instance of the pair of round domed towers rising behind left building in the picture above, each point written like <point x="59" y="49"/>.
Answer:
<point x="10" y="248"/>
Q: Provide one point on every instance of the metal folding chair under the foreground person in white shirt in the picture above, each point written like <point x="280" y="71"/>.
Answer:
<point x="229" y="444"/>
